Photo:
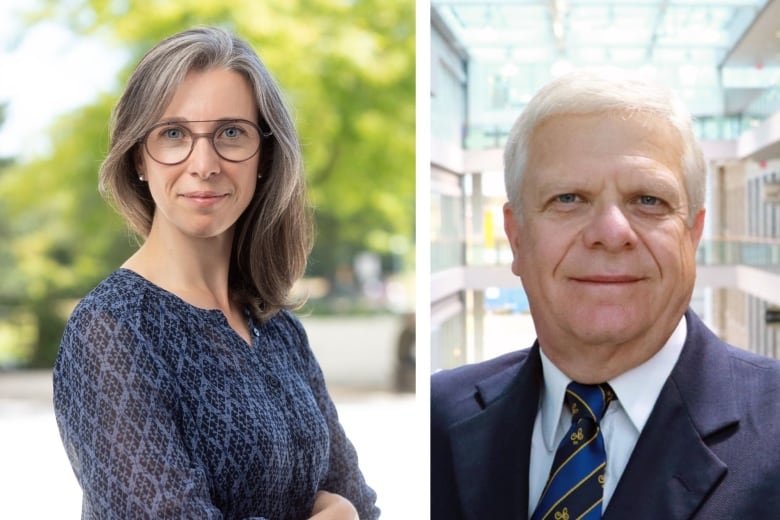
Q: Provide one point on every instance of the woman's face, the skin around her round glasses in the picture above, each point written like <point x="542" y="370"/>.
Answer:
<point x="203" y="196"/>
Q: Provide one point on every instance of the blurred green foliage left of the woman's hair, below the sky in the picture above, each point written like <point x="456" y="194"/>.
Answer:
<point x="63" y="239"/>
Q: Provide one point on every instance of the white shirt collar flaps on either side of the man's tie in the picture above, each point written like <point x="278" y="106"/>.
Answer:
<point x="637" y="389"/>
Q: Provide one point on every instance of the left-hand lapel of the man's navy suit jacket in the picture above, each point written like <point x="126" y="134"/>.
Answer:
<point x="491" y="449"/>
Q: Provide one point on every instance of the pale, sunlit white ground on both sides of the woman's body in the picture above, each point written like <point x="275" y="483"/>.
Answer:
<point x="36" y="480"/>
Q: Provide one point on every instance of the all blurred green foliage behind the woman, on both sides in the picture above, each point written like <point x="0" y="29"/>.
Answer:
<point x="347" y="67"/>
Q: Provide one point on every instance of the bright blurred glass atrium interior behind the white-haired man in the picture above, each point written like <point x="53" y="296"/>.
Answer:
<point x="488" y="58"/>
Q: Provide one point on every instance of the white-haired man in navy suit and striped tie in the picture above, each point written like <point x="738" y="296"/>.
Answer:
<point x="626" y="406"/>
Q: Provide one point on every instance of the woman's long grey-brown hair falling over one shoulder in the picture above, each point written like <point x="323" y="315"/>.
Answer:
<point x="273" y="236"/>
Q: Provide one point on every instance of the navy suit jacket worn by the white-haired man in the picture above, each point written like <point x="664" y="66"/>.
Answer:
<point x="710" y="448"/>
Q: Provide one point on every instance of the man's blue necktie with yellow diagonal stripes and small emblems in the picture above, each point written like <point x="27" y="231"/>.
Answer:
<point x="574" y="489"/>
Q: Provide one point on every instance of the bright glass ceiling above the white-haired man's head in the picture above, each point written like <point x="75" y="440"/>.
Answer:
<point x="513" y="47"/>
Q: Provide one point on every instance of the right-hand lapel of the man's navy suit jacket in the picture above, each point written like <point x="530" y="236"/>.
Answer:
<point x="672" y="469"/>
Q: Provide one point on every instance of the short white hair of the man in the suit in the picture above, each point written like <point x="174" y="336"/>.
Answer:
<point x="587" y="92"/>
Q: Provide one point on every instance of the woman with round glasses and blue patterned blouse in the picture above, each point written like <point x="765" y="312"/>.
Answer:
<point x="184" y="387"/>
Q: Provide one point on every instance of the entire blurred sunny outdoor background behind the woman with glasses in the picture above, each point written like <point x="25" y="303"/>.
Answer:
<point x="349" y="77"/>
